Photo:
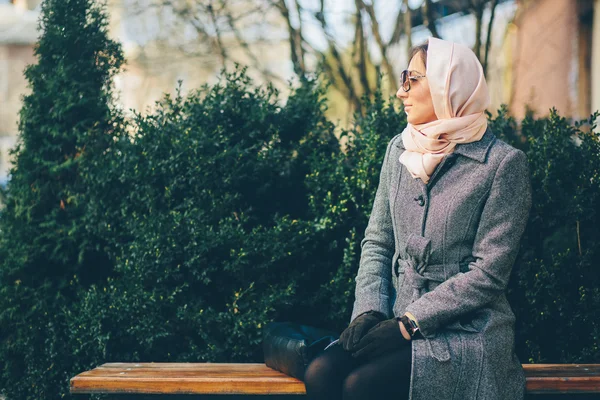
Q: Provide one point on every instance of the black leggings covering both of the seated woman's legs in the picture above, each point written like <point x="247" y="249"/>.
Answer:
<point x="335" y="374"/>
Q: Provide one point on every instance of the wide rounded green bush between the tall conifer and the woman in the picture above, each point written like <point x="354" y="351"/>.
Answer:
<point x="216" y="216"/>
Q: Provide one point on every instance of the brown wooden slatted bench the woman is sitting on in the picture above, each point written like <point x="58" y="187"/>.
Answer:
<point x="121" y="380"/>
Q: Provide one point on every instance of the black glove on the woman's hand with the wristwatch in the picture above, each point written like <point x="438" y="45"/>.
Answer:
<point x="383" y="338"/>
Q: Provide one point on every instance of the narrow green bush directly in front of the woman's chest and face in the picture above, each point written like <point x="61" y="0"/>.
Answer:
<point x="342" y="189"/>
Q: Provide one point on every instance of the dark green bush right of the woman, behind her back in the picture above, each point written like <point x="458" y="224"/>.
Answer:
<point x="556" y="293"/>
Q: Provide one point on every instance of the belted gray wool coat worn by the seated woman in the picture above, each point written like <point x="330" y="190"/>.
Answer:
<point x="444" y="251"/>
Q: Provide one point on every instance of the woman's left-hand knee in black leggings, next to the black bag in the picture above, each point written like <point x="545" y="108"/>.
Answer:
<point x="325" y="375"/>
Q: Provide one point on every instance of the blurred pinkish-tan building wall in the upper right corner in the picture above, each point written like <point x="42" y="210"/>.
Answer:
<point x="553" y="47"/>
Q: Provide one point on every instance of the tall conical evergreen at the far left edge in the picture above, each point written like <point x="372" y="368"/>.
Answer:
<point x="66" y="123"/>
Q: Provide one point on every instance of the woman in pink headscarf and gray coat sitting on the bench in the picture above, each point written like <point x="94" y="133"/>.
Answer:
<point x="431" y="320"/>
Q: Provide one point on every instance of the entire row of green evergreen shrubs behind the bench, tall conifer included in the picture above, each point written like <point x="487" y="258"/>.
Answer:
<point x="177" y="235"/>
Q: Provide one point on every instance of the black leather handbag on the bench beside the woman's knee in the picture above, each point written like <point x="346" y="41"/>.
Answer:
<point x="289" y="347"/>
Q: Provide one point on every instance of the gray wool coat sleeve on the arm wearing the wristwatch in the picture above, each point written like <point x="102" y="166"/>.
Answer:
<point x="502" y="223"/>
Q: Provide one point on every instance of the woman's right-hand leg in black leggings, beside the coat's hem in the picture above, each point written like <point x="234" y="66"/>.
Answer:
<point x="387" y="377"/>
